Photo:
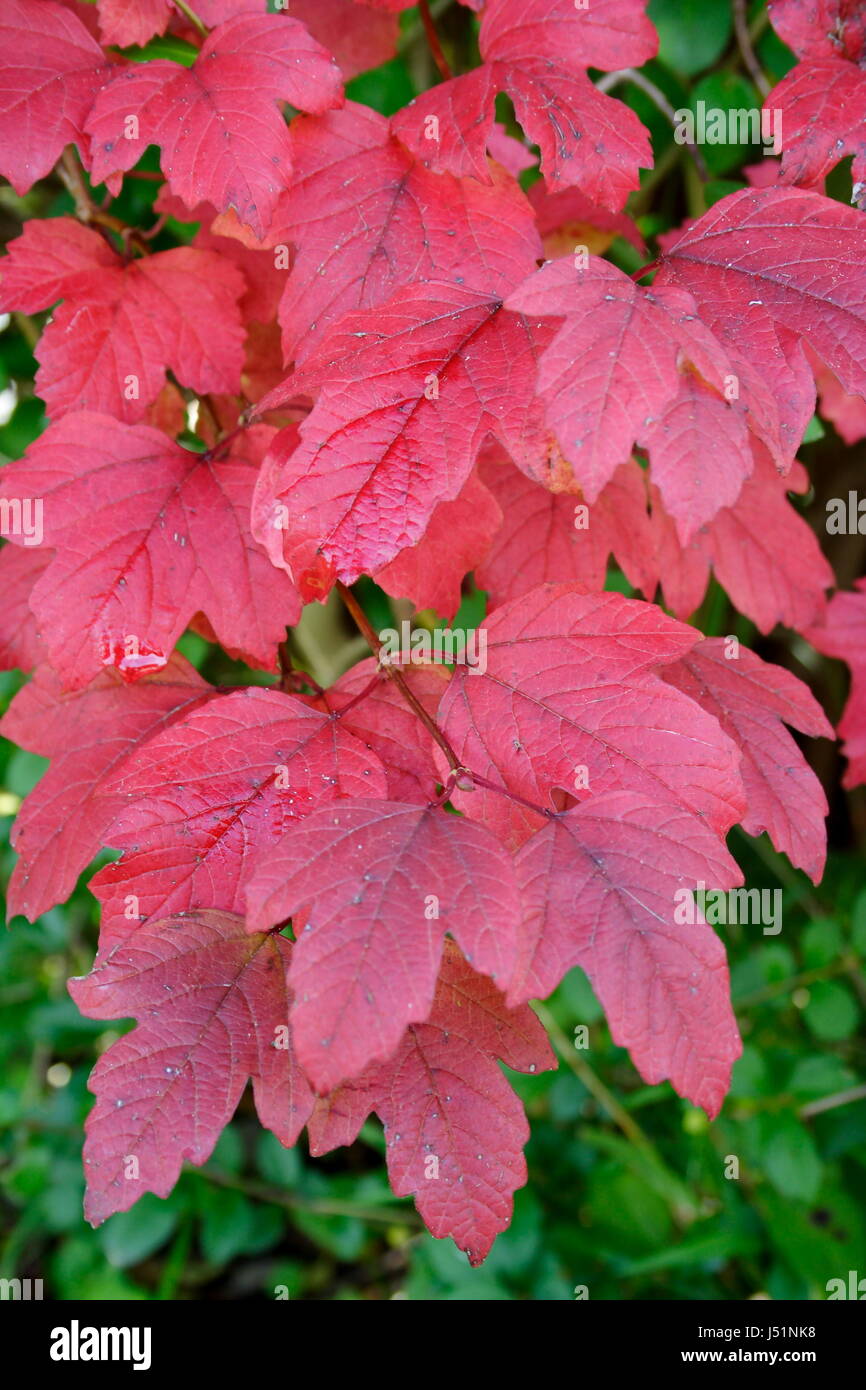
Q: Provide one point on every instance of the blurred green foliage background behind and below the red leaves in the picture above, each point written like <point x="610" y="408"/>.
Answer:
<point x="628" y="1191"/>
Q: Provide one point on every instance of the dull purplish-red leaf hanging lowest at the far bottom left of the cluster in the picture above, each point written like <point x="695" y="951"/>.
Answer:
<point x="212" y="1004"/>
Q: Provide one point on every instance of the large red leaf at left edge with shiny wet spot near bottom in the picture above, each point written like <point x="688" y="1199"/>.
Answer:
<point x="162" y="516"/>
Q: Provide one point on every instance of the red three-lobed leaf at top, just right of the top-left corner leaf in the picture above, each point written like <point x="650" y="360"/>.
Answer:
<point x="223" y="138"/>
